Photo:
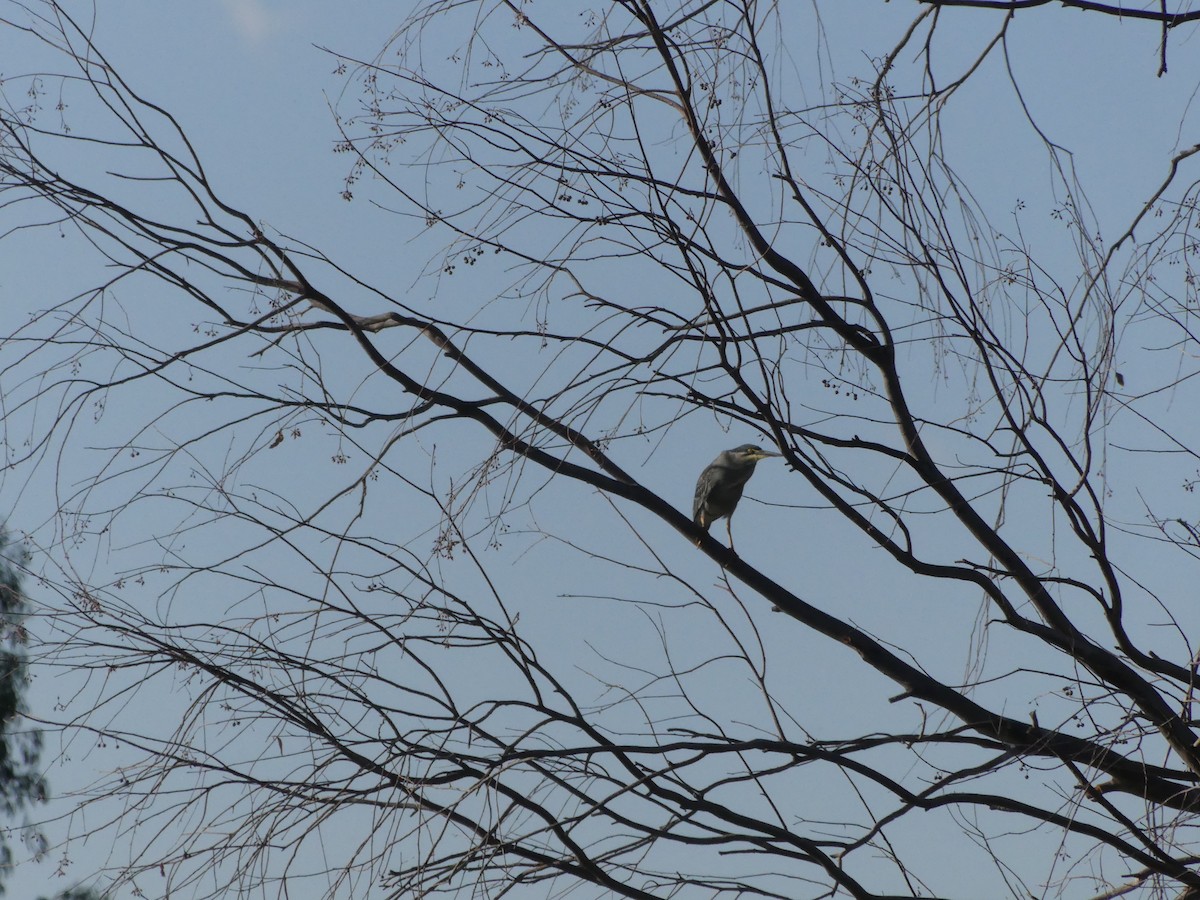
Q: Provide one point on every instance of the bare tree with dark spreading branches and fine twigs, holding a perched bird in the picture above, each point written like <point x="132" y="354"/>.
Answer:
<point x="406" y="560"/>
